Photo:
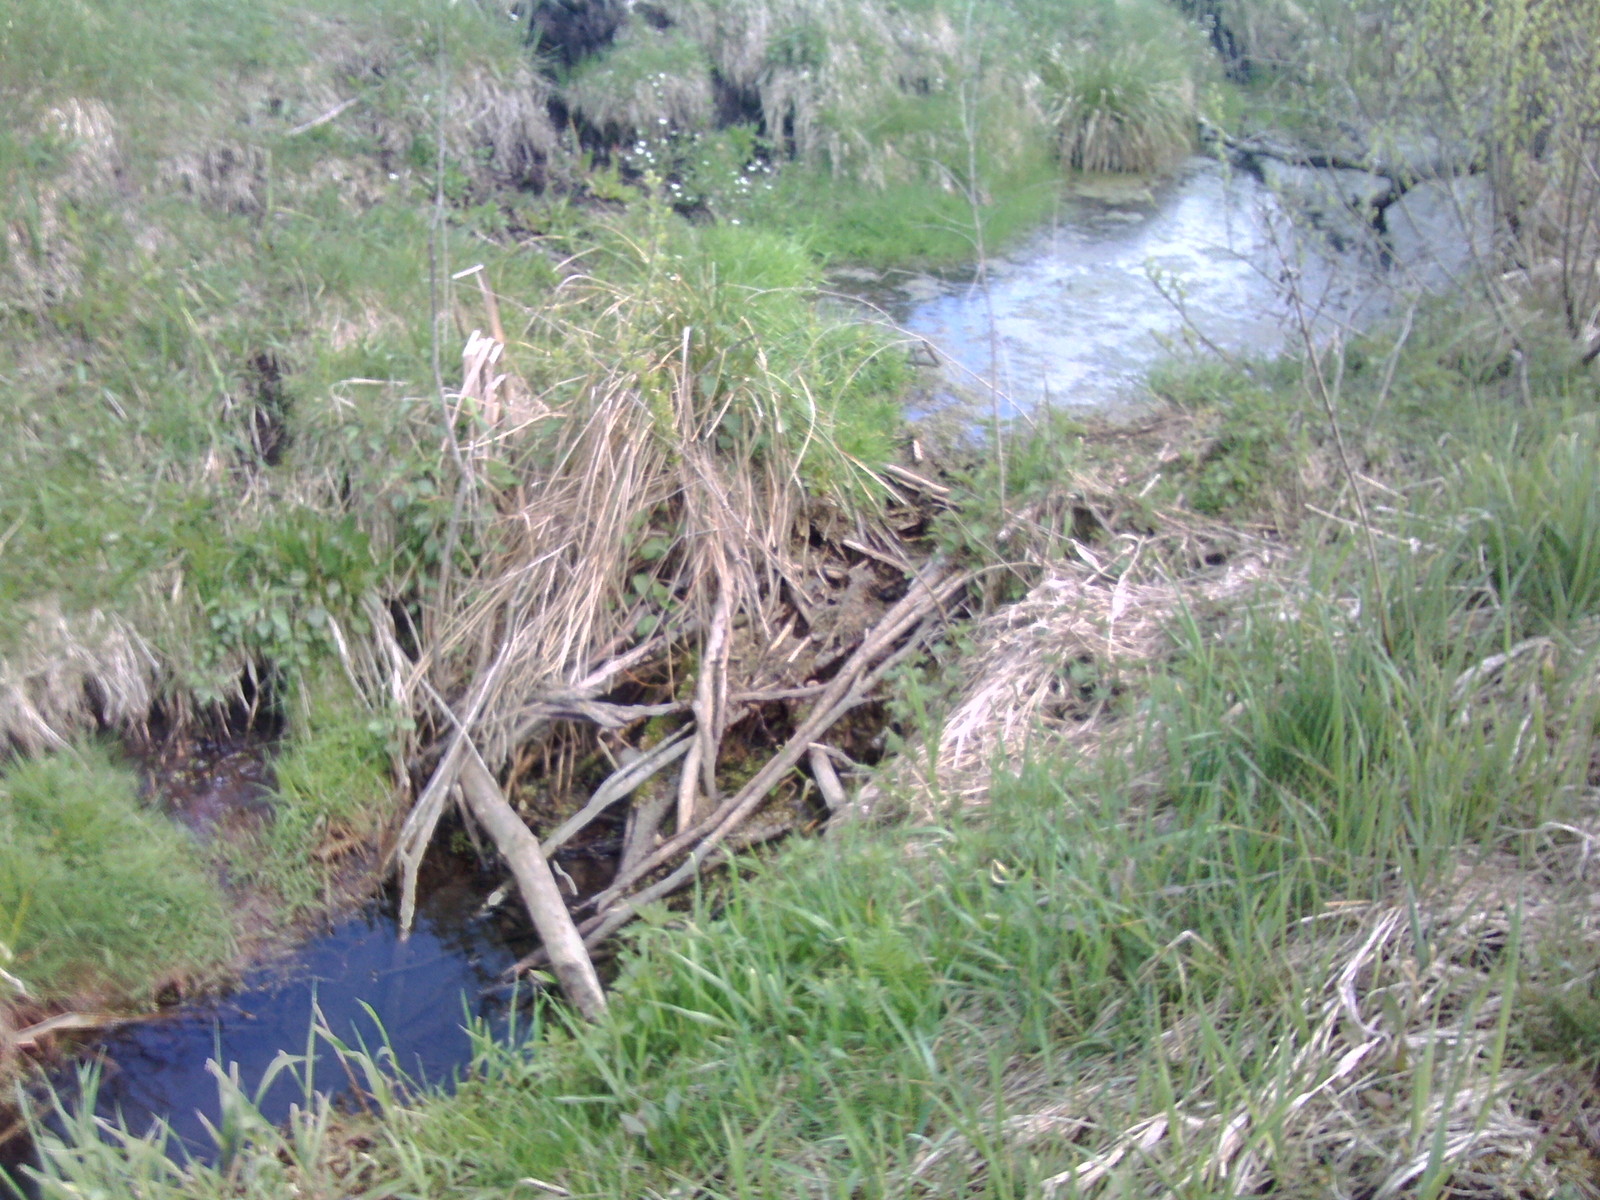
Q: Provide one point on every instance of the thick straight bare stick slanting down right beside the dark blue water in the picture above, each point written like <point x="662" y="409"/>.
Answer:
<point x="537" y="886"/>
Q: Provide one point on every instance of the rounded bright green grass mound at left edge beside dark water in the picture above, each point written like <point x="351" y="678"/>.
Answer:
<point x="102" y="900"/>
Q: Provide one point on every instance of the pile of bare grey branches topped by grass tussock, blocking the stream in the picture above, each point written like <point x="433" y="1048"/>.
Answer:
<point x="674" y="562"/>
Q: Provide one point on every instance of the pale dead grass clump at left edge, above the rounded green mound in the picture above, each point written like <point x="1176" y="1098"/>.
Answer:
<point x="73" y="674"/>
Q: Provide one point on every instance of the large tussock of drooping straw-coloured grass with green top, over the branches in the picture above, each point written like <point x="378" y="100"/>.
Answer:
<point x="649" y="470"/>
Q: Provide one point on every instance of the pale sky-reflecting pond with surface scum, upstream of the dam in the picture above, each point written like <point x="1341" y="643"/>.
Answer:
<point x="1129" y="274"/>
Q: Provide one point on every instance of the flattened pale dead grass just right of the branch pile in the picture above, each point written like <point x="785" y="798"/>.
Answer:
<point x="1050" y="668"/>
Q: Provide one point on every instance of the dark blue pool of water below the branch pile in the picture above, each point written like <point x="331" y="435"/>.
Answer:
<point x="367" y="983"/>
